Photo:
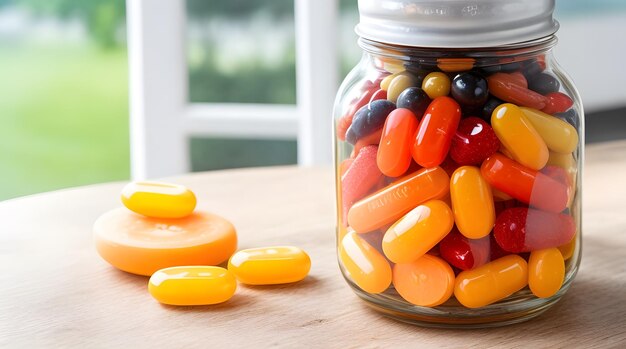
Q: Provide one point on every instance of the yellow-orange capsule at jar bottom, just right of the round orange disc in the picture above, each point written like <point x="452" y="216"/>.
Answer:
<point x="491" y="282"/>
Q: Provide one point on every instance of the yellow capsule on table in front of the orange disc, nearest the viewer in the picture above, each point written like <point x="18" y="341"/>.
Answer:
<point x="192" y="285"/>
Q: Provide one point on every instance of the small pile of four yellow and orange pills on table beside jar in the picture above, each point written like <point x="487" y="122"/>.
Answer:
<point x="160" y="234"/>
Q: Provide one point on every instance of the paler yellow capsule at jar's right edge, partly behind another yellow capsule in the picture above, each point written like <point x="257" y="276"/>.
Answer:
<point x="558" y="135"/>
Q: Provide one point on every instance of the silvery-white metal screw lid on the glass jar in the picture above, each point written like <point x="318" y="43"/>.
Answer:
<point x="455" y="23"/>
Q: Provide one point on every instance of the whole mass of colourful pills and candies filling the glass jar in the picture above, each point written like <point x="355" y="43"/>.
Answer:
<point x="459" y="184"/>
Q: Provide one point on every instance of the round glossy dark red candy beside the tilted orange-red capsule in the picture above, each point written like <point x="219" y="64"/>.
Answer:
<point x="473" y="142"/>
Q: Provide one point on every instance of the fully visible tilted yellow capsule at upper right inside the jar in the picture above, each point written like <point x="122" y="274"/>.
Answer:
<point x="519" y="137"/>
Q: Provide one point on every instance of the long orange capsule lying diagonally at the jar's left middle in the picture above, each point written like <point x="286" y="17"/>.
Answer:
<point x="392" y="202"/>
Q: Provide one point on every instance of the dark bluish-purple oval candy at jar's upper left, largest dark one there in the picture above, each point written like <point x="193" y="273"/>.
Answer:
<point x="368" y="119"/>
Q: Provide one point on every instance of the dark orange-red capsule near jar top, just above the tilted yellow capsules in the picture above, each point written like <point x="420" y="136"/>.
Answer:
<point x="508" y="89"/>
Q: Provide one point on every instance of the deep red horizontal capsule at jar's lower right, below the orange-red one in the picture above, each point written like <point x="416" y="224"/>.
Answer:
<point x="525" y="229"/>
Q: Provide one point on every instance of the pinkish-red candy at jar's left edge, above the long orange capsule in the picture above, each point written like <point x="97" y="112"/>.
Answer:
<point x="360" y="178"/>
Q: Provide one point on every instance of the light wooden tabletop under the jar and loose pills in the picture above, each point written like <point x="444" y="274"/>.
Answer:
<point x="55" y="291"/>
